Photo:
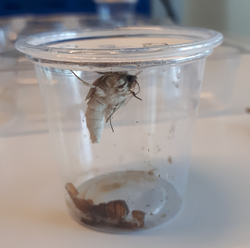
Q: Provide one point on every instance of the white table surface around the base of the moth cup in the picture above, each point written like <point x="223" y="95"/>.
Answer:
<point x="216" y="210"/>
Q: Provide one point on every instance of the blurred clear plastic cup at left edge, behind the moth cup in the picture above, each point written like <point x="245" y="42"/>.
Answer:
<point x="21" y="106"/>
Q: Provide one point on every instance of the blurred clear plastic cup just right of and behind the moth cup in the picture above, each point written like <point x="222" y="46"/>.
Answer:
<point x="219" y="79"/>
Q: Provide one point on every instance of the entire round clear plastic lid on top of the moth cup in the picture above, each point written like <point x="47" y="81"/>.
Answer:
<point x="121" y="47"/>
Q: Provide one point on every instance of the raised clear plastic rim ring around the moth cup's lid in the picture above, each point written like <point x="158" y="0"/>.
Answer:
<point x="203" y="40"/>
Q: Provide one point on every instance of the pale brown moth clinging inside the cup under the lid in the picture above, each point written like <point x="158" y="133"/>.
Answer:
<point x="107" y="94"/>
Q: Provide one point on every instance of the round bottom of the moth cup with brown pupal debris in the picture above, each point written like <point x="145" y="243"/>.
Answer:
<point x="123" y="201"/>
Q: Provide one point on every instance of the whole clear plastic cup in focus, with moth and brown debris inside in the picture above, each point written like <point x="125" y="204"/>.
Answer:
<point x="121" y="107"/>
